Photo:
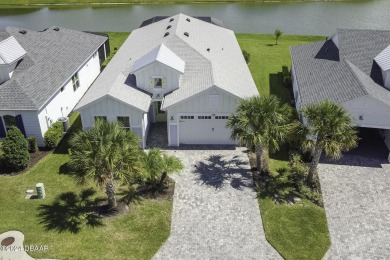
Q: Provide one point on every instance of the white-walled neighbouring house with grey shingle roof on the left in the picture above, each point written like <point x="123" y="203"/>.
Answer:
<point x="43" y="75"/>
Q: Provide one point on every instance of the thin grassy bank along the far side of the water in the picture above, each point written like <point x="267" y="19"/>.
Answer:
<point x="19" y="3"/>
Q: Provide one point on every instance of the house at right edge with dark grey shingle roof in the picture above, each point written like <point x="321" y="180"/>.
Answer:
<point x="352" y="68"/>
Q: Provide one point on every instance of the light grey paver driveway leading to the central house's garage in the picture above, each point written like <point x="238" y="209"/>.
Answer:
<point x="215" y="210"/>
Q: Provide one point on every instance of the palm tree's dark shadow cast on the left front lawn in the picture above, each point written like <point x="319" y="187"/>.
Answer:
<point x="70" y="212"/>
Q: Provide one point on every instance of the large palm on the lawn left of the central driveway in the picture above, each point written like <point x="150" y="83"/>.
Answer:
<point x="104" y="154"/>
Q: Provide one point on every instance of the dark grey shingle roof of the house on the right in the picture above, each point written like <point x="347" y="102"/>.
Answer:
<point x="325" y="72"/>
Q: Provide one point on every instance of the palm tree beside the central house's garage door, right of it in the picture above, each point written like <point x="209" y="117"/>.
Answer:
<point x="263" y="123"/>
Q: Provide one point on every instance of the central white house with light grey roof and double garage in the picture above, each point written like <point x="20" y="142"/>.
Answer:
<point x="180" y="70"/>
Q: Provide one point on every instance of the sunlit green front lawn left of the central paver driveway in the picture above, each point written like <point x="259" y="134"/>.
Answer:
<point x="137" y="235"/>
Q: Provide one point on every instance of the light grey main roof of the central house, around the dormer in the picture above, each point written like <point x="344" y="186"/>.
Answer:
<point x="211" y="54"/>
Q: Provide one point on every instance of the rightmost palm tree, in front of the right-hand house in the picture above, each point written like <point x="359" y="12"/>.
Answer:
<point x="330" y="129"/>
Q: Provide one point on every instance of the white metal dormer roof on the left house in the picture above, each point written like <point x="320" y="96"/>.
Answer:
<point x="10" y="51"/>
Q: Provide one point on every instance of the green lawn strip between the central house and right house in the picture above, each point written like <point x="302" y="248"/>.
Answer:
<point x="299" y="231"/>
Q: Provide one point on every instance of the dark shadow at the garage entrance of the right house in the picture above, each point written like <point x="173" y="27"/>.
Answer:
<point x="371" y="151"/>
